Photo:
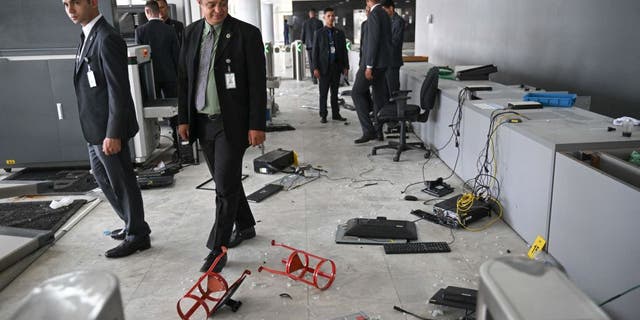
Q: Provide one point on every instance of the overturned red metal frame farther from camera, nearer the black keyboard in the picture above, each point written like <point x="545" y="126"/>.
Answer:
<point x="298" y="269"/>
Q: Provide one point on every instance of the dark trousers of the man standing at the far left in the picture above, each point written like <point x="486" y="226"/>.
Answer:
<point x="114" y="175"/>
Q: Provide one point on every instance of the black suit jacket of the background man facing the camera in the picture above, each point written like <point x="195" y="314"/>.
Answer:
<point x="322" y="50"/>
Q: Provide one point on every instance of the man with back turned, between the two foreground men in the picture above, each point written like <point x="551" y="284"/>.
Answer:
<point x="164" y="50"/>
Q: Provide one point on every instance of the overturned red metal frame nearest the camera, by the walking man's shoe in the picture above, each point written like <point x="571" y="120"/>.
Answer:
<point x="211" y="288"/>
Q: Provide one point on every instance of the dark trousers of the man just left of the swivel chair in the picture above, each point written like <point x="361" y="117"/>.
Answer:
<point x="361" y="96"/>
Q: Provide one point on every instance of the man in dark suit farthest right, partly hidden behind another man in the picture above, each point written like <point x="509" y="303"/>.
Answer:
<point x="397" y="38"/>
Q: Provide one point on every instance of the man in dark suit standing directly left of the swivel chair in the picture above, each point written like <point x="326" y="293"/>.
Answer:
<point x="375" y="59"/>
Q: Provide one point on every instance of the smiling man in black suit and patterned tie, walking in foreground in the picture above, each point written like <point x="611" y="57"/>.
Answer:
<point x="222" y="98"/>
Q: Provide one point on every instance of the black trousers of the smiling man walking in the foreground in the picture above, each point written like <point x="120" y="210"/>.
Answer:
<point x="225" y="165"/>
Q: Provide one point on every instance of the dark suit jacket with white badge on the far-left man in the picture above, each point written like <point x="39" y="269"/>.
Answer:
<point x="106" y="110"/>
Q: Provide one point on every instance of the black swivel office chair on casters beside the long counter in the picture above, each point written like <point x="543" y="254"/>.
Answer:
<point x="397" y="110"/>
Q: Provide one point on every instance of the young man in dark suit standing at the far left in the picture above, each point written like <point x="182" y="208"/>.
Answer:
<point x="108" y="120"/>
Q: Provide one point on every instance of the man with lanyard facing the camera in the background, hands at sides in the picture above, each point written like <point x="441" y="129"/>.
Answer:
<point x="330" y="59"/>
